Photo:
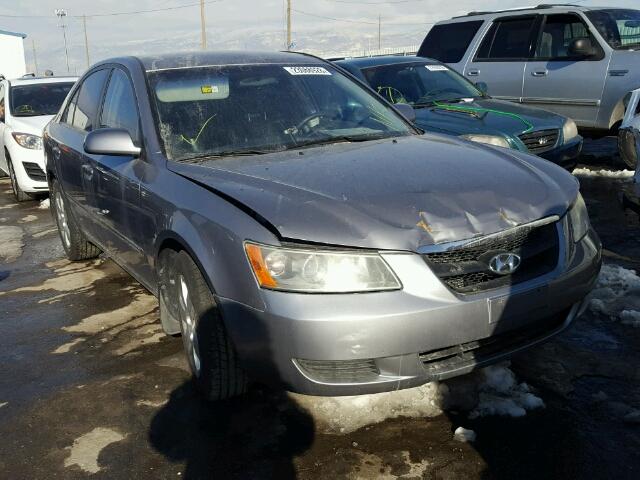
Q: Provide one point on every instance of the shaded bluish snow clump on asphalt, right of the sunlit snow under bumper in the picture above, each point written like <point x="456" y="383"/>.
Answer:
<point x="501" y="394"/>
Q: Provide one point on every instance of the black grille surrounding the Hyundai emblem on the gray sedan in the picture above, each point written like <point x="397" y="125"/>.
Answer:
<point x="465" y="269"/>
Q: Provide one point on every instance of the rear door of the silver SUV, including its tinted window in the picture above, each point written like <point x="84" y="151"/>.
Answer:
<point x="501" y="57"/>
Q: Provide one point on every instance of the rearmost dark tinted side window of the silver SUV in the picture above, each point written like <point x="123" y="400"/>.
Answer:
<point x="449" y="42"/>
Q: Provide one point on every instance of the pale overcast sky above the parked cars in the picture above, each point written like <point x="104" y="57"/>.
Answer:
<point x="323" y="26"/>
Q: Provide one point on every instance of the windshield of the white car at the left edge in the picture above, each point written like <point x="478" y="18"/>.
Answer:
<point x="38" y="98"/>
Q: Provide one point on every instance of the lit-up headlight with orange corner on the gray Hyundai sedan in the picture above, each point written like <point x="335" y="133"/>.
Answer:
<point x="319" y="271"/>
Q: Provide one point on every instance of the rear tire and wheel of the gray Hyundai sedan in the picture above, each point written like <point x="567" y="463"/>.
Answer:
<point x="74" y="242"/>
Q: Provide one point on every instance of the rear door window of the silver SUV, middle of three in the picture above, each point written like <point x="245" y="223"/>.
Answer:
<point x="508" y="39"/>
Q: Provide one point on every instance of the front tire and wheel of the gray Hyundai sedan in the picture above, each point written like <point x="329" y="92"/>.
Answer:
<point x="212" y="357"/>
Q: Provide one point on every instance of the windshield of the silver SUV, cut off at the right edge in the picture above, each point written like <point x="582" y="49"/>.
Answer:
<point x="619" y="27"/>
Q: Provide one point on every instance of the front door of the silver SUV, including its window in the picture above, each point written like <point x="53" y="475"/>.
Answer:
<point x="557" y="81"/>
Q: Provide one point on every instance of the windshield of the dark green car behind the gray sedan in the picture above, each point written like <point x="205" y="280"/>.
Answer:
<point x="419" y="84"/>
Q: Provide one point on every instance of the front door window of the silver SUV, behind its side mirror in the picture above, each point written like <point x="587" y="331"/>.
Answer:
<point x="558" y="33"/>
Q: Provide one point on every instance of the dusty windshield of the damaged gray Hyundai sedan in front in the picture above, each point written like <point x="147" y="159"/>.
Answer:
<point x="264" y="108"/>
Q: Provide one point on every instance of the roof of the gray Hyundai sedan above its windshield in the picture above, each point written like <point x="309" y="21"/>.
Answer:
<point x="203" y="59"/>
